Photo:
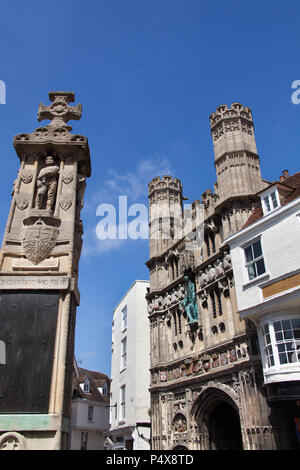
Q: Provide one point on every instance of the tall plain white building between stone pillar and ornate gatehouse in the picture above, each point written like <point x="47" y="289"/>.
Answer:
<point x="130" y="377"/>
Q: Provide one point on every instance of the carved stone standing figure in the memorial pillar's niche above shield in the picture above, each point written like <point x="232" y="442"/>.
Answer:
<point x="47" y="185"/>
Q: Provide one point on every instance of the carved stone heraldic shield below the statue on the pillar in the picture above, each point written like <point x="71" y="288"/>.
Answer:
<point x="39" y="235"/>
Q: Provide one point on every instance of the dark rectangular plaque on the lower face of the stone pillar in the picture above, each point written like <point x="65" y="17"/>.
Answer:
<point x="27" y="327"/>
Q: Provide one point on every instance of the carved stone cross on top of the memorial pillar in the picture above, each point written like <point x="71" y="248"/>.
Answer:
<point x="59" y="112"/>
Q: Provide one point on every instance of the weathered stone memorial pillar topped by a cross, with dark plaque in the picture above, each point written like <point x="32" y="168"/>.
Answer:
<point x="38" y="281"/>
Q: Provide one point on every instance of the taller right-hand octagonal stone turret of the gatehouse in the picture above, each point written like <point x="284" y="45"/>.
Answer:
<point x="236" y="159"/>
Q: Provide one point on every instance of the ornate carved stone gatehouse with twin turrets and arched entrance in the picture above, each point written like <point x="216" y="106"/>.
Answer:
<point x="206" y="379"/>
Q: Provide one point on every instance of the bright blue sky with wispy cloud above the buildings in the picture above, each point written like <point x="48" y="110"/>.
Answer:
<point x="148" y="74"/>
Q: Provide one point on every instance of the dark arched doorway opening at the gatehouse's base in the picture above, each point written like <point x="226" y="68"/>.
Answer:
<point x="217" y="416"/>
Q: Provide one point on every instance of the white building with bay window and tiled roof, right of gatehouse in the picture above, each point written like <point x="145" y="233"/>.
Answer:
<point x="265" y="257"/>
